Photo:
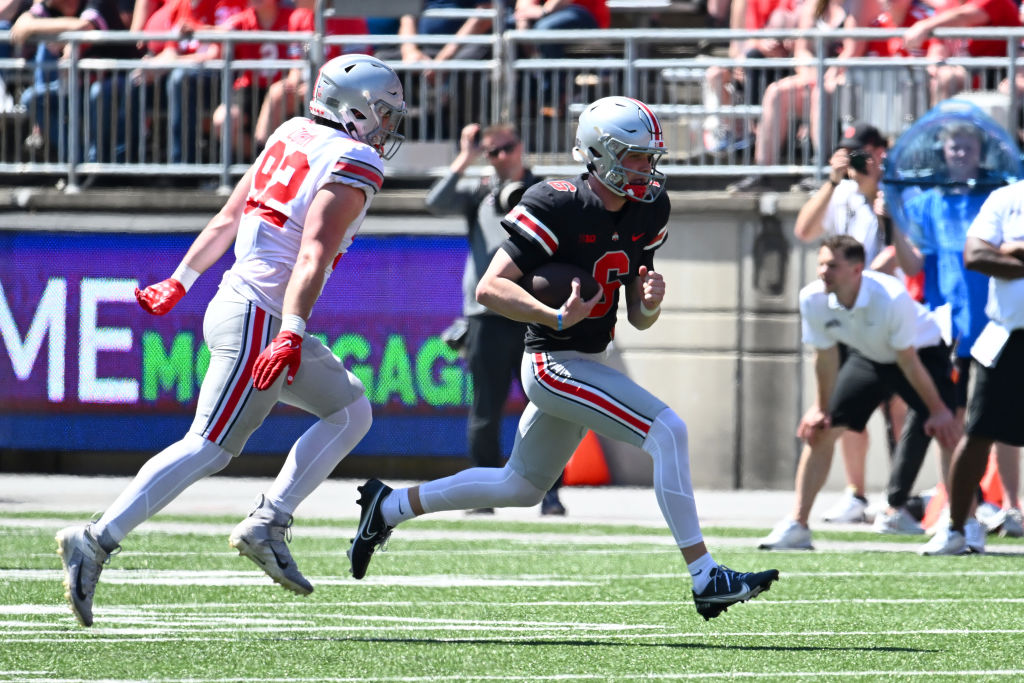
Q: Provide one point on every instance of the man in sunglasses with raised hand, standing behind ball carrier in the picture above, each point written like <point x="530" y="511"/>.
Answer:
<point x="492" y="345"/>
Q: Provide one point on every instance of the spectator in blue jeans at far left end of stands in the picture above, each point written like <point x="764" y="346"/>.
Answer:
<point x="107" y="130"/>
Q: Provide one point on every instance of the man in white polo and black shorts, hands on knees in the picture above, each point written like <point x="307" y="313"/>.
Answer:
<point x="895" y="348"/>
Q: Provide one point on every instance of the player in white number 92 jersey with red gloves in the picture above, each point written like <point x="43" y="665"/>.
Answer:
<point x="291" y="217"/>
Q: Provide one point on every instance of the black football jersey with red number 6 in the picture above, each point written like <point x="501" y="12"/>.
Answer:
<point x="566" y="222"/>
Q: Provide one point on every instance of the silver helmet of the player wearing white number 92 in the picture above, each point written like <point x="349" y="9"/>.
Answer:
<point x="365" y="96"/>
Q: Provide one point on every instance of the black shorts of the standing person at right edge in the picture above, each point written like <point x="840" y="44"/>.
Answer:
<point x="997" y="407"/>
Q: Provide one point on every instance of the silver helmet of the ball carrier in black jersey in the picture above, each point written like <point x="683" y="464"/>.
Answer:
<point x="613" y="127"/>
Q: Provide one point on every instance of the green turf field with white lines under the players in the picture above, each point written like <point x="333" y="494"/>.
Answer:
<point x="486" y="601"/>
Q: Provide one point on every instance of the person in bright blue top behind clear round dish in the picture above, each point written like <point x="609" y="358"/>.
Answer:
<point x="937" y="223"/>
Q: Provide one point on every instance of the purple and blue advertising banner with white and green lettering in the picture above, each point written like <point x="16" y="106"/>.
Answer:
<point x="82" y="367"/>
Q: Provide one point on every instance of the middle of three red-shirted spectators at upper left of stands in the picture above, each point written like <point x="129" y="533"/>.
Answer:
<point x="250" y="87"/>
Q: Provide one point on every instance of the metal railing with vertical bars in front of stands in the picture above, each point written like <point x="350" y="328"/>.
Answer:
<point x="87" y="117"/>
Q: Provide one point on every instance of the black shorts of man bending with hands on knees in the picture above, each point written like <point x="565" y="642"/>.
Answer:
<point x="863" y="385"/>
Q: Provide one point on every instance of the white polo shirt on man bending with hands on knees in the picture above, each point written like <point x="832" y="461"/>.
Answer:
<point x="883" y="321"/>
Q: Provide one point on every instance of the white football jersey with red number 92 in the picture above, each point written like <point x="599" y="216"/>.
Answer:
<point x="301" y="158"/>
